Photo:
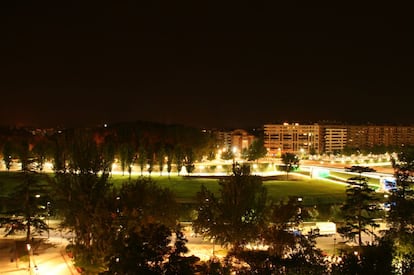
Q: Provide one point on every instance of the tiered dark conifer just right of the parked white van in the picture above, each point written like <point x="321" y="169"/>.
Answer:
<point x="359" y="210"/>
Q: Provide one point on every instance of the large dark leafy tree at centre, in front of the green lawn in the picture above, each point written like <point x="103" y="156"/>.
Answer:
<point x="237" y="217"/>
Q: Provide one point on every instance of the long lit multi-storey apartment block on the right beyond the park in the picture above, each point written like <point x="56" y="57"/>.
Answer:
<point x="324" y="138"/>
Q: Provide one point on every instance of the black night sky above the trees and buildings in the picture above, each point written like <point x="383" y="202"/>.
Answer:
<point x="207" y="65"/>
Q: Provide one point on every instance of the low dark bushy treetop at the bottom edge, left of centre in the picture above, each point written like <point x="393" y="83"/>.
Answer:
<point x="144" y="251"/>
